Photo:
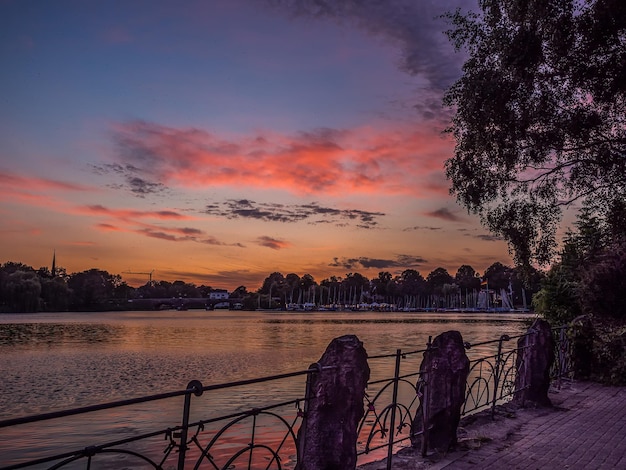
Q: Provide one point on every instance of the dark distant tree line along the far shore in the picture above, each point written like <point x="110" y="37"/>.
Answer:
<point x="25" y="289"/>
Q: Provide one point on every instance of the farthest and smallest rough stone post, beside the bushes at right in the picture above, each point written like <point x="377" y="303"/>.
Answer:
<point x="534" y="359"/>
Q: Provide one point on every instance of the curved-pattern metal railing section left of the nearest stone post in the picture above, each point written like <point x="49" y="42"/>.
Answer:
<point x="194" y="442"/>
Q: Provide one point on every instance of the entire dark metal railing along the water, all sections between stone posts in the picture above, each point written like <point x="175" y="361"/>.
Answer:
<point x="266" y="436"/>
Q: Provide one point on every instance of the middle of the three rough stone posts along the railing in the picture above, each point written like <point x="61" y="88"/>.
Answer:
<point x="443" y="373"/>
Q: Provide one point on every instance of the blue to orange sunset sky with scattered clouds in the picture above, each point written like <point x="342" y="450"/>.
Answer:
<point x="218" y="141"/>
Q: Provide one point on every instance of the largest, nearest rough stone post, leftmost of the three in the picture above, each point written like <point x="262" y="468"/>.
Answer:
<point x="334" y="407"/>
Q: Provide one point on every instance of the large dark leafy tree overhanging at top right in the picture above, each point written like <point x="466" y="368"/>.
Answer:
<point x="539" y="115"/>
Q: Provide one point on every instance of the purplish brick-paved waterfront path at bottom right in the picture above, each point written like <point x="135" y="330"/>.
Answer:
<point x="585" y="429"/>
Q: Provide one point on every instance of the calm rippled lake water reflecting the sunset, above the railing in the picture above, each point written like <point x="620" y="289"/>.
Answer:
<point x="52" y="362"/>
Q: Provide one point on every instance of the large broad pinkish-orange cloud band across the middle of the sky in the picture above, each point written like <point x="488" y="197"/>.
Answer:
<point x="366" y="160"/>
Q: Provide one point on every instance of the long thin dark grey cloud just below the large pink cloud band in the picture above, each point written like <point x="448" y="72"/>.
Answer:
<point x="275" y="212"/>
